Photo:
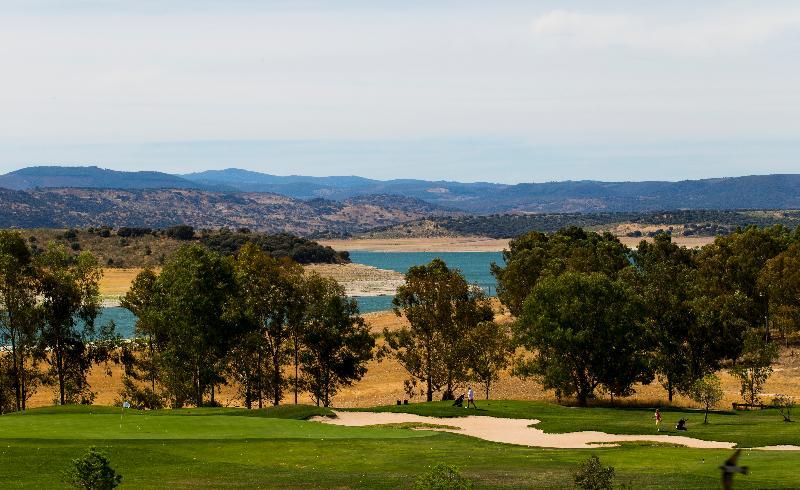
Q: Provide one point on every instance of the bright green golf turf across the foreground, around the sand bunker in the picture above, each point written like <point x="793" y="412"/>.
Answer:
<point x="215" y="448"/>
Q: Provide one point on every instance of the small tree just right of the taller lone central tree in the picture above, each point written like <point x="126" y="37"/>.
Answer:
<point x="490" y="353"/>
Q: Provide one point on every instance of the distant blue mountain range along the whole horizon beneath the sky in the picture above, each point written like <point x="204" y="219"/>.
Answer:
<point x="748" y="192"/>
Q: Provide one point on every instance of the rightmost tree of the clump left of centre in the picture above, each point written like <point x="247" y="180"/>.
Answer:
<point x="336" y="342"/>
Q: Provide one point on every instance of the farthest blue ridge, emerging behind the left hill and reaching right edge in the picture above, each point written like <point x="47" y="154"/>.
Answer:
<point x="749" y="192"/>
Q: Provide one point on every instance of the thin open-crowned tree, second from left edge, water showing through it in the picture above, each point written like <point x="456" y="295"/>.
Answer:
<point x="70" y="302"/>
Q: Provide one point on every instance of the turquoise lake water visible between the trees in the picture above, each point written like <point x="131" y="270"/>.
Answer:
<point x="474" y="266"/>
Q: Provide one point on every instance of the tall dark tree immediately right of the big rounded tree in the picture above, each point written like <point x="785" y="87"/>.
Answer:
<point x="664" y="276"/>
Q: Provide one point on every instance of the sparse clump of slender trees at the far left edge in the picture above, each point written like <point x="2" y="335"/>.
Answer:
<point x="48" y="305"/>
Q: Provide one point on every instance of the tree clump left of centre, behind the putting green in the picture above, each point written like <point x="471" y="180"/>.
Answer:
<point x="208" y="319"/>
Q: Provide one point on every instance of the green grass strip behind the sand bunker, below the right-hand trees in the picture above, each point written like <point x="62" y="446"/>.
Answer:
<point x="747" y="429"/>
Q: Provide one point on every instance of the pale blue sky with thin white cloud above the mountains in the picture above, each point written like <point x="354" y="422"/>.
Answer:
<point x="501" y="91"/>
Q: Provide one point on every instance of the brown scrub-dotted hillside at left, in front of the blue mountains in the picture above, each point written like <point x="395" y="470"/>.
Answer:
<point x="159" y="208"/>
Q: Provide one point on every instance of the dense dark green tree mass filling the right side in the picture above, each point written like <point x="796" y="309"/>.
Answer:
<point x="595" y="314"/>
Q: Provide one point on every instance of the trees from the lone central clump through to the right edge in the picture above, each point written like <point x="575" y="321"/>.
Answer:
<point x="592" y="314"/>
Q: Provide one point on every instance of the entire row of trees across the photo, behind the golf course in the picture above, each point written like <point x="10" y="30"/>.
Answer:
<point x="590" y="316"/>
